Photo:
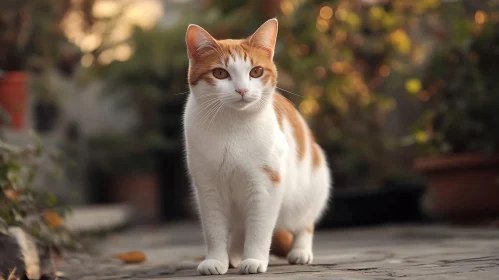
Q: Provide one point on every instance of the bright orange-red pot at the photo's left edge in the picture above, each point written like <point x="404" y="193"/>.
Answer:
<point x="13" y="97"/>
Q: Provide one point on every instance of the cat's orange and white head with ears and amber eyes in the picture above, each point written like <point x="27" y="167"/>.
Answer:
<point x="239" y="73"/>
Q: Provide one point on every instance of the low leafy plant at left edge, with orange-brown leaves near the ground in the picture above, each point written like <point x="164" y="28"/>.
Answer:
<point x="22" y="204"/>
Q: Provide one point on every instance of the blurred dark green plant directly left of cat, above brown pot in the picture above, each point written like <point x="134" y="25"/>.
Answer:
<point x="152" y="82"/>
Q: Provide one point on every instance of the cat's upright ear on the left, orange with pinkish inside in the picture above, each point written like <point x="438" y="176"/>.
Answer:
<point x="198" y="41"/>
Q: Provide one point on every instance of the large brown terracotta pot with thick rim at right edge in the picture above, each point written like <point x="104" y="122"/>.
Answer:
<point x="462" y="188"/>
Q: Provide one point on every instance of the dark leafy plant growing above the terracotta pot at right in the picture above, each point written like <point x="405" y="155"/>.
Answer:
<point x="462" y="111"/>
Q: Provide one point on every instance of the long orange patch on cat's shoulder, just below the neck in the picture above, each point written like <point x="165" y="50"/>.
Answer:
<point x="285" y="109"/>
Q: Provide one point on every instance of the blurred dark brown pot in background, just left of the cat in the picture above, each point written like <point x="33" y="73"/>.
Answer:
<point x="141" y="191"/>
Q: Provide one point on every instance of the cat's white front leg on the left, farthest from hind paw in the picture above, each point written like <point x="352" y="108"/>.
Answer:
<point x="214" y="219"/>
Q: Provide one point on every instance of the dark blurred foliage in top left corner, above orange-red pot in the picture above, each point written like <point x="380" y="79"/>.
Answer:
<point x="30" y="35"/>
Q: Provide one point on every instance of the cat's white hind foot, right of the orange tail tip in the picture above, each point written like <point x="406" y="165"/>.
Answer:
<point x="301" y="252"/>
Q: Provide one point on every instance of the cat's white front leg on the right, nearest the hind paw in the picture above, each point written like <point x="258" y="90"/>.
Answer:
<point x="262" y="209"/>
